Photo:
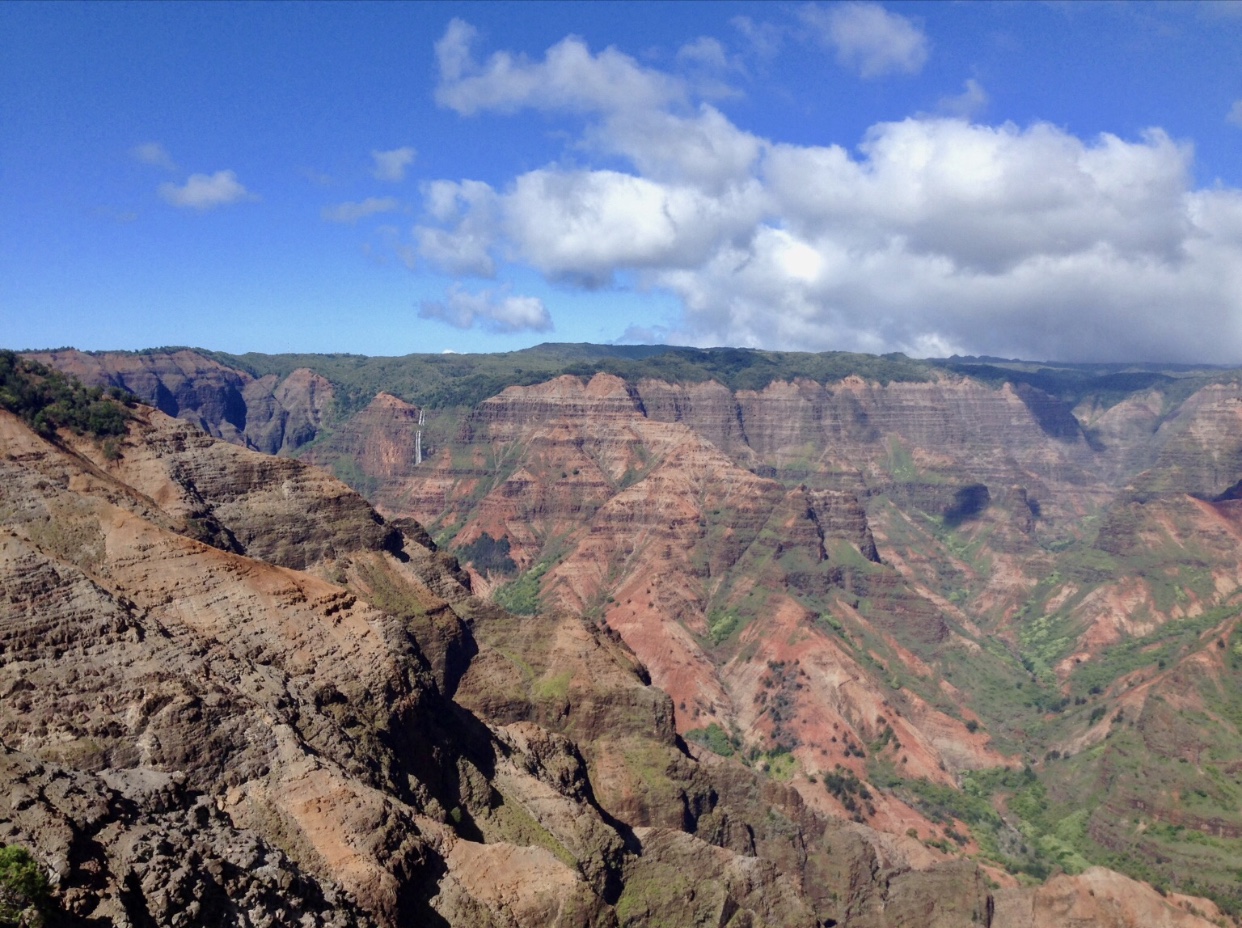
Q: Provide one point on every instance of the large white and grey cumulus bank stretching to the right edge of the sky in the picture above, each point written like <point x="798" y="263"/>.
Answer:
<point x="933" y="235"/>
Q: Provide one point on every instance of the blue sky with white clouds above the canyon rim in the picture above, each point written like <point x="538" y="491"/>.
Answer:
<point x="1040" y="181"/>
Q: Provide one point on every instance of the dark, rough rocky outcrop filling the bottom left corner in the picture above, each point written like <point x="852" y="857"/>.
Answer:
<point x="134" y="847"/>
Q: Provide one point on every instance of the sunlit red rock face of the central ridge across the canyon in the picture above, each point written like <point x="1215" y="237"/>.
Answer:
<point x="653" y="529"/>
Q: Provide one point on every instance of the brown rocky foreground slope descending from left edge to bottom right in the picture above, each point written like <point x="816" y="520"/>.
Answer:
<point x="196" y="736"/>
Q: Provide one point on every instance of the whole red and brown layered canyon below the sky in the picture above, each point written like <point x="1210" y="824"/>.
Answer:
<point x="645" y="638"/>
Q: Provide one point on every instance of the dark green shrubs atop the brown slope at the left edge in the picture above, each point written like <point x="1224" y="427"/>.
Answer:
<point x="49" y="401"/>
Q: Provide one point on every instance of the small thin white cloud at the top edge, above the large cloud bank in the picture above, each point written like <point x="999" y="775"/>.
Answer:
<point x="869" y="39"/>
